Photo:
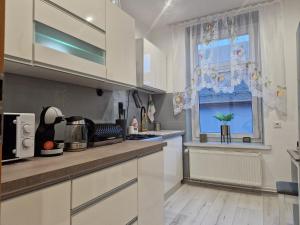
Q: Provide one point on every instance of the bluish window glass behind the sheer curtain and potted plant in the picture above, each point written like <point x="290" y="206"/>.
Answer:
<point x="240" y="102"/>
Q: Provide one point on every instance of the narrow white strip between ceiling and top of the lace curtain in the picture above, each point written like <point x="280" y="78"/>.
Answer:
<point x="193" y="21"/>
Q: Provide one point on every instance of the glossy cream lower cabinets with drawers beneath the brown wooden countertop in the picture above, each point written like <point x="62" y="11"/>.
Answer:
<point x="128" y="193"/>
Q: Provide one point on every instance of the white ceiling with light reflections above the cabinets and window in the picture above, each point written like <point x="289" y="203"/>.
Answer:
<point x="148" y="12"/>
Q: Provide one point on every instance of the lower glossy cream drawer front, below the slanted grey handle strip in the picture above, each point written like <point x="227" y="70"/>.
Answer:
<point x="118" y="209"/>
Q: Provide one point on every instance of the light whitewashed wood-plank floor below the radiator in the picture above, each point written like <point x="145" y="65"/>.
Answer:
<point x="193" y="205"/>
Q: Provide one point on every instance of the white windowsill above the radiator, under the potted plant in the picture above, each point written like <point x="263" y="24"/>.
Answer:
<point x="253" y="146"/>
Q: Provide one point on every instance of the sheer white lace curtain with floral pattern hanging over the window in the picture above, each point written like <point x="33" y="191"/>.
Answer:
<point x="252" y="54"/>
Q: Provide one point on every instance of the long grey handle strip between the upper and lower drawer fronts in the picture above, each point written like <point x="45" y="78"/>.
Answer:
<point x="102" y="197"/>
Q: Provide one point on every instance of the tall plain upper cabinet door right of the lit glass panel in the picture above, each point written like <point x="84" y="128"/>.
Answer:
<point x="120" y="45"/>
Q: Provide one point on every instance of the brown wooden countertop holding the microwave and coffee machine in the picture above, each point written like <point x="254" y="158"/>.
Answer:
<point x="36" y="173"/>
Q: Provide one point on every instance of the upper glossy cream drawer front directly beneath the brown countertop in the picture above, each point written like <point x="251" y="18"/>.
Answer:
<point x="88" y="187"/>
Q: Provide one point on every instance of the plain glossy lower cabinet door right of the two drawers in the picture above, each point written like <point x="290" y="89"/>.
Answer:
<point x="151" y="189"/>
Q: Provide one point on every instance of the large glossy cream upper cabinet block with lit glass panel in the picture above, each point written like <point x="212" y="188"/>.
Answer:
<point x="92" y="40"/>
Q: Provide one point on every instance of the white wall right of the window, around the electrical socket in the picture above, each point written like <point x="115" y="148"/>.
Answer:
<point x="277" y="164"/>
